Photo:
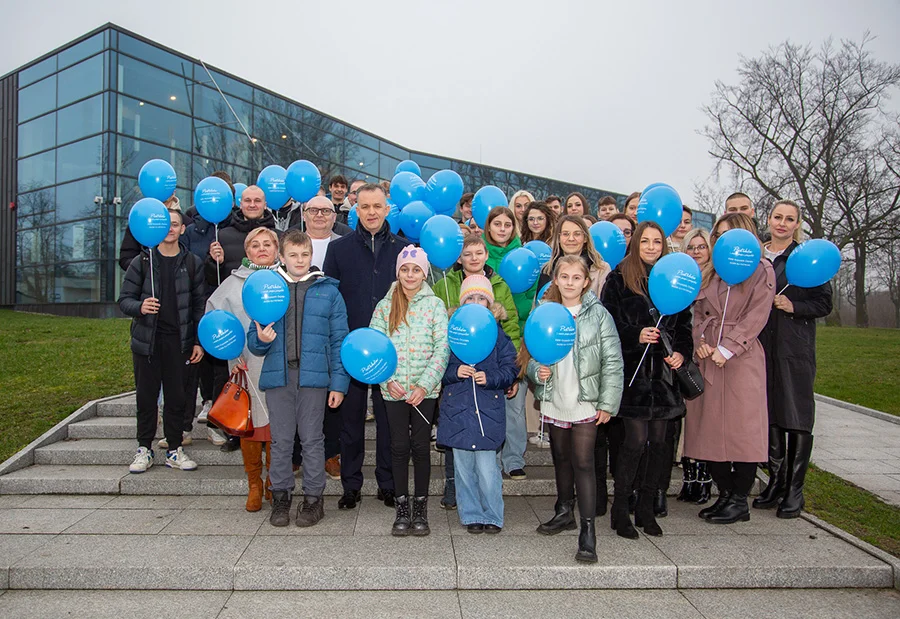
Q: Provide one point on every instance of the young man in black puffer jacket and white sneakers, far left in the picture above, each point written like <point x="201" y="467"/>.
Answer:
<point x="166" y="304"/>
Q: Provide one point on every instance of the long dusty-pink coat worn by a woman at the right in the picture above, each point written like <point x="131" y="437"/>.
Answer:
<point x="729" y="422"/>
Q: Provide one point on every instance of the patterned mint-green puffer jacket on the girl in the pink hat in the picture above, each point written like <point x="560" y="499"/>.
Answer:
<point x="422" y="347"/>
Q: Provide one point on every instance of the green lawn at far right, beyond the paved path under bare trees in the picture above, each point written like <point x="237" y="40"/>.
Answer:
<point x="861" y="366"/>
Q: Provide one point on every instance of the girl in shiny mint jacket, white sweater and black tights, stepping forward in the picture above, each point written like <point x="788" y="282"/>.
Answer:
<point x="578" y="393"/>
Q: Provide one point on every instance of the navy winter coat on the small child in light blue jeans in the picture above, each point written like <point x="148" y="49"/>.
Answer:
<point x="458" y="424"/>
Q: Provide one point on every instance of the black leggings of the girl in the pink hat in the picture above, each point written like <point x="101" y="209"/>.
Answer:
<point x="410" y="434"/>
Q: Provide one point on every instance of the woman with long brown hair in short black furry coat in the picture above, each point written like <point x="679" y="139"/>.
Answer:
<point x="653" y="397"/>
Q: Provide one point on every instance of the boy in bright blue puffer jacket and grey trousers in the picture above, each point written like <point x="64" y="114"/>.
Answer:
<point x="301" y="372"/>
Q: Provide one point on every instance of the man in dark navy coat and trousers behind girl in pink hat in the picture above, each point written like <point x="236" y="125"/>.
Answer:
<point x="364" y="263"/>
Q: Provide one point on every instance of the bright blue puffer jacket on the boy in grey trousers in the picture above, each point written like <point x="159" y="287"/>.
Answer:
<point x="323" y="329"/>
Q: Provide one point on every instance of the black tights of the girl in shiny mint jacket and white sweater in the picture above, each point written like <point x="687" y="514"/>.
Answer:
<point x="573" y="462"/>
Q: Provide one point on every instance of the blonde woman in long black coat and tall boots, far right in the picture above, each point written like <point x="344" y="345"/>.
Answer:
<point x="789" y="340"/>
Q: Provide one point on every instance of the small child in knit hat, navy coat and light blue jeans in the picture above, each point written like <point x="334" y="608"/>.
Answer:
<point x="479" y="483"/>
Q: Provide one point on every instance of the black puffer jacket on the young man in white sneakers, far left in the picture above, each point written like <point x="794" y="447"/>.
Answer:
<point x="190" y="290"/>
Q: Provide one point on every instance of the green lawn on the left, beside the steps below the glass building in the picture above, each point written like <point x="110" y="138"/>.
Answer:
<point x="52" y="366"/>
